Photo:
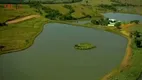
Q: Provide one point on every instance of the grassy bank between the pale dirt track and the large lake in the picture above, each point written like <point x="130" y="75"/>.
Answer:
<point x="20" y="36"/>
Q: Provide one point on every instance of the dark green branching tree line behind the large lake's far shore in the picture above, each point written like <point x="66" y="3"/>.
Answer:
<point x="55" y="14"/>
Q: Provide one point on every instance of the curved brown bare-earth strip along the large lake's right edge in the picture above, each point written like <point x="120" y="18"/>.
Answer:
<point x="124" y="63"/>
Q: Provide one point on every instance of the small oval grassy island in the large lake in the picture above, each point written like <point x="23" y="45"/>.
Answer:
<point x="84" y="46"/>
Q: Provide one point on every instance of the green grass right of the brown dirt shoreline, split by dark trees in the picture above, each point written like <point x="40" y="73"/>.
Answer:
<point x="132" y="72"/>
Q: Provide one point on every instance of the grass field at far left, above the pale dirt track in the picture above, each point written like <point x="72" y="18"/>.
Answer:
<point x="6" y="14"/>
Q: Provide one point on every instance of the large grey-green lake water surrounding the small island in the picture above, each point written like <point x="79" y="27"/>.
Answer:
<point x="53" y="57"/>
